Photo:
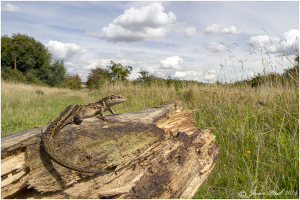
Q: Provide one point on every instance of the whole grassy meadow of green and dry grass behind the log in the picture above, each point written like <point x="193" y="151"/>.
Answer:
<point x="257" y="128"/>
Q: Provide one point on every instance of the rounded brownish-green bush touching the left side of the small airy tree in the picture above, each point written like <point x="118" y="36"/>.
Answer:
<point x="97" y="77"/>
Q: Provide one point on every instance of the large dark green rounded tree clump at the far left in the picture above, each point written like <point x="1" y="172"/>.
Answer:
<point x="32" y="58"/>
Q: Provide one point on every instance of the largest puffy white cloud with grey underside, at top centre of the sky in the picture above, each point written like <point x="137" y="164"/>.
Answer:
<point x="139" y="25"/>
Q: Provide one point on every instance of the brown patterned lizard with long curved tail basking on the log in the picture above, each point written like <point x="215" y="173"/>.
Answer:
<point x="75" y="114"/>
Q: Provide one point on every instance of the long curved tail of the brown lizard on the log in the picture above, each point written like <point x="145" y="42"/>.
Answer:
<point x="49" y="147"/>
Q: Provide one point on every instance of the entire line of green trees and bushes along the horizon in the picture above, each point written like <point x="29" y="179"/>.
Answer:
<point x="24" y="59"/>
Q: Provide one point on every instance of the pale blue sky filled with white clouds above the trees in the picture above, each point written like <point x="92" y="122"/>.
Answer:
<point x="203" y="41"/>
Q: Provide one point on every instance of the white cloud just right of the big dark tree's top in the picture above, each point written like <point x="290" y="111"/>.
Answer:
<point x="64" y="50"/>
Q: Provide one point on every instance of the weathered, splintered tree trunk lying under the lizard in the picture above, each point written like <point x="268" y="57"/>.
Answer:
<point x="157" y="153"/>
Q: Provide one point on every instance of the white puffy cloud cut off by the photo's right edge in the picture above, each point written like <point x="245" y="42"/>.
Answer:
<point x="287" y="42"/>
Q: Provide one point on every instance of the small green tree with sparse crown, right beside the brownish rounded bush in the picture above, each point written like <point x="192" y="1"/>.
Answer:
<point x="118" y="71"/>
